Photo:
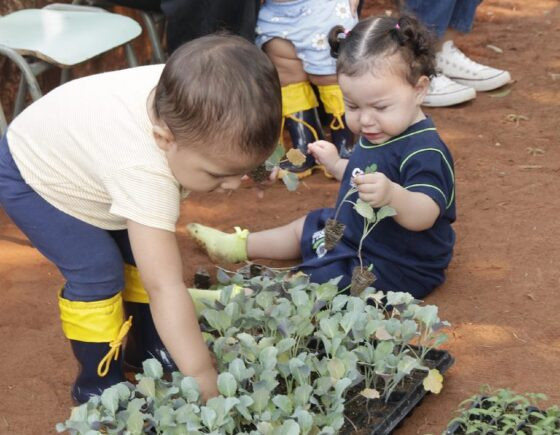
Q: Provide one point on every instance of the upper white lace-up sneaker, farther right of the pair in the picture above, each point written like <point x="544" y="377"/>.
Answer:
<point x="454" y="64"/>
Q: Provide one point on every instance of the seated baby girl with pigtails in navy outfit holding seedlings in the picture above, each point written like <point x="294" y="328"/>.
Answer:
<point x="383" y="67"/>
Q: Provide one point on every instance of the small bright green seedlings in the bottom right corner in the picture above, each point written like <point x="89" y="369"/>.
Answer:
<point x="504" y="412"/>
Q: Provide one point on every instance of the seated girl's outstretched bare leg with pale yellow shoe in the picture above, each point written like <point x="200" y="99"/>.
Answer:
<point x="281" y="243"/>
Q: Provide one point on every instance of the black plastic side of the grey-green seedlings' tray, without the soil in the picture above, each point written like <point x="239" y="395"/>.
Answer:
<point x="395" y="411"/>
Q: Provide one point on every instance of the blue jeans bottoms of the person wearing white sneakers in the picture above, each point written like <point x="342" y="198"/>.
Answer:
<point x="439" y="15"/>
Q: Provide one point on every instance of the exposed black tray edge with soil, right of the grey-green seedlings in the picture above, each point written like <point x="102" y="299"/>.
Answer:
<point x="381" y="418"/>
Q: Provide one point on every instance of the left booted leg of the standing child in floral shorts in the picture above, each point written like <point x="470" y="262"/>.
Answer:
<point x="299" y="104"/>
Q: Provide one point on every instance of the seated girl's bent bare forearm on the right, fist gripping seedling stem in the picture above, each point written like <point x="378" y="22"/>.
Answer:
<point x="416" y="211"/>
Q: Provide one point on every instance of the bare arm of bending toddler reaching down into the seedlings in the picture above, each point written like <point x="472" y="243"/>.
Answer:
<point x="158" y="259"/>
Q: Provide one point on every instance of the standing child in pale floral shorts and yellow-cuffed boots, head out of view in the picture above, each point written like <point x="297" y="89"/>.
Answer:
<point x="294" y="34"/>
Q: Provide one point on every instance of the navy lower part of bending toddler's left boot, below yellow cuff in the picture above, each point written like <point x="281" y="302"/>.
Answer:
<point x="88" y="383"/>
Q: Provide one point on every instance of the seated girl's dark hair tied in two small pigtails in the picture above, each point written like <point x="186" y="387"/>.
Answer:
<point x="378" y="38"/>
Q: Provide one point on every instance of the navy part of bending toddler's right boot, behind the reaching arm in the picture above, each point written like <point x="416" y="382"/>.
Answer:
<point x="143" y="341"/>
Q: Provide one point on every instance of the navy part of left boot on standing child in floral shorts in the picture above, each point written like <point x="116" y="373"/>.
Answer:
<point x="301" y="136"/>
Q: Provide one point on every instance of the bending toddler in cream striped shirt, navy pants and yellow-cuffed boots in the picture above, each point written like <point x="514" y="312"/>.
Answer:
<point x="93" y="174"/>
